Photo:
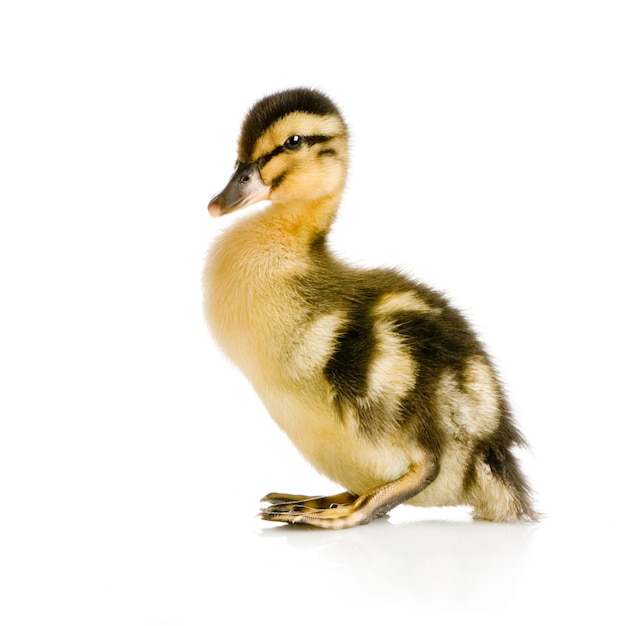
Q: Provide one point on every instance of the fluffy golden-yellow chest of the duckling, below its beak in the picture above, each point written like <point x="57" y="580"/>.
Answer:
<point x="250" y="303"/>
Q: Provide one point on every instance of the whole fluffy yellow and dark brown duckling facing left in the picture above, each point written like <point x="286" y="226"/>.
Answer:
<point x="377" y="380"/>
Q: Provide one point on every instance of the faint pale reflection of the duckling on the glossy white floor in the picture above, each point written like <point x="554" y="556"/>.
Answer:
<point x="427" y="564"/>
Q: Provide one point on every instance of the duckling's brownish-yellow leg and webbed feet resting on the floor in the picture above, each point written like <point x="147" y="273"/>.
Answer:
<point x="346" y="510"/>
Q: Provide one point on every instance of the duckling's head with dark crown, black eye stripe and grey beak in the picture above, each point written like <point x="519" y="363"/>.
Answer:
<point x="293" y="147"/>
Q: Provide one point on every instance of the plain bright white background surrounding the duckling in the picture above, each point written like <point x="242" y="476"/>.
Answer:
<point x="488" y="144"/>
